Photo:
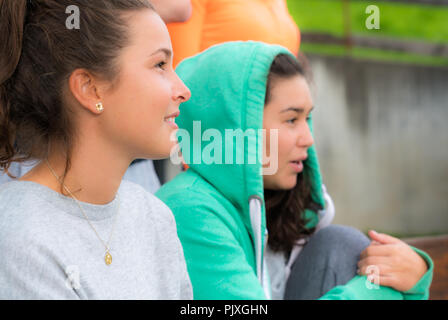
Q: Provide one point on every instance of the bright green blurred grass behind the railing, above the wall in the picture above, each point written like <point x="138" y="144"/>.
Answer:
<point x="402" y="21"/>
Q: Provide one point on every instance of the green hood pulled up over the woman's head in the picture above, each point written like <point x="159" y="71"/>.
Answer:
<point x="220" y="126"/>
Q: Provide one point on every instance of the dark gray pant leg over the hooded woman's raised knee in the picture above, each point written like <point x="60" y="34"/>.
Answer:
<point x="328" y="260"/>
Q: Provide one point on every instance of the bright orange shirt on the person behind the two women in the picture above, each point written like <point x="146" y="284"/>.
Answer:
<point x="217" y="21"/>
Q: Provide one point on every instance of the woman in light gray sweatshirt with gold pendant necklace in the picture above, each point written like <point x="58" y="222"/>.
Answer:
<point x="86" y="87"/>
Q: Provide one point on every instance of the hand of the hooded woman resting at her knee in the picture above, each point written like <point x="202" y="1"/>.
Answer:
<point x="399" y="266"/>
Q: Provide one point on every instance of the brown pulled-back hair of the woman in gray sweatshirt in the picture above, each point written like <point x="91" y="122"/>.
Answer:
<point x="38" y="55"/>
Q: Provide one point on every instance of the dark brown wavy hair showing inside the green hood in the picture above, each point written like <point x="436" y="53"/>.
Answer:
<point x="285" y="208"/>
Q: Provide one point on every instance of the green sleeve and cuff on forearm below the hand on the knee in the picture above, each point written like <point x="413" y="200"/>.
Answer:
<point x="359" y="289"/>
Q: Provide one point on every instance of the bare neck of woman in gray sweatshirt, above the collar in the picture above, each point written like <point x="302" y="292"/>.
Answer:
<point x="94" y="176"/>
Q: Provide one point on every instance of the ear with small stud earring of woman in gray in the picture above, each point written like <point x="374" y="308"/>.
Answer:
<point x="85" y="89"/>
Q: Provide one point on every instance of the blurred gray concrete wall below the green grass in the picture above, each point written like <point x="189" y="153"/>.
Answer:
<point x="382" y="136"/>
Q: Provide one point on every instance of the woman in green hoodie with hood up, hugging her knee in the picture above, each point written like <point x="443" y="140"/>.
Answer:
<point x="224" y="208"/>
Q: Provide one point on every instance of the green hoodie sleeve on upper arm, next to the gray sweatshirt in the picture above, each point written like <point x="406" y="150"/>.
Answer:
<point x="216" y="262"/>
